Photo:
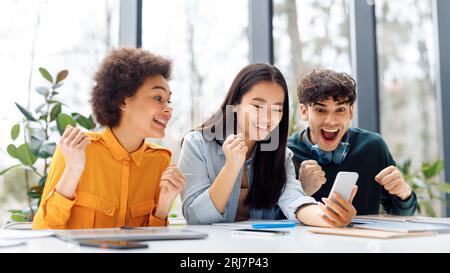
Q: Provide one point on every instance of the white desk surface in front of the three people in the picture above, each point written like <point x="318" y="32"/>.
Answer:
<point x="221" y="240"/>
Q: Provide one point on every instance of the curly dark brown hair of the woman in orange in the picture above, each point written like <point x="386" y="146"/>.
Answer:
<point x="119" y="76"/>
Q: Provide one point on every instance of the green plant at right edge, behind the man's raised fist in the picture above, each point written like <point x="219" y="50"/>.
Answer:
<point x="426" y="184"/>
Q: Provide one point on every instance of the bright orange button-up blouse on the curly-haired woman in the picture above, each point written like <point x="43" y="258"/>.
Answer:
<point x="116" y="188"/>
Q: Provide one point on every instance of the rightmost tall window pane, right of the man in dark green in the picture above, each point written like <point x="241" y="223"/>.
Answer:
<point x="406" y="51"/>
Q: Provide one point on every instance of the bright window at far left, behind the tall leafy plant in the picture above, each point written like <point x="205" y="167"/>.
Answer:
<point x="55" y="34"/>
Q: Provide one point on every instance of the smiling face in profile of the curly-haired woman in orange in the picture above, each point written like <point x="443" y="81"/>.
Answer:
<point x="148" y="111"/>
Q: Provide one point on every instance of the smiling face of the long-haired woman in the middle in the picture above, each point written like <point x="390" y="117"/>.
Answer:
<point x="260" y="110"/>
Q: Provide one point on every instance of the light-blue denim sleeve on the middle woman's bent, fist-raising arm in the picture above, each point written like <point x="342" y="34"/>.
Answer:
<point x="198" y="207"/>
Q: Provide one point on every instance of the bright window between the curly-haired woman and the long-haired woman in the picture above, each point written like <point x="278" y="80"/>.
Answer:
<point x="208" y="44"/>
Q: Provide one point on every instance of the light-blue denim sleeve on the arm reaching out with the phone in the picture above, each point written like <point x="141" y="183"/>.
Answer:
<point x="293" y="195"/>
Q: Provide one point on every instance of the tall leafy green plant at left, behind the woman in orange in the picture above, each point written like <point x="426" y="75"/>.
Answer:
<point x="37" y="147"/>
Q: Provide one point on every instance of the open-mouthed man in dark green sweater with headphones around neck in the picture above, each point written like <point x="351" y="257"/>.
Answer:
<point x="329" y="146"/>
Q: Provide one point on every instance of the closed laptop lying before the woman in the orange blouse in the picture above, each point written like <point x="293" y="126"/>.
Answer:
<point x="133" y="233"/>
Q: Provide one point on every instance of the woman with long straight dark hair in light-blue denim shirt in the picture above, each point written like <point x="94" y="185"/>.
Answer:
<point x="237" y="166"/>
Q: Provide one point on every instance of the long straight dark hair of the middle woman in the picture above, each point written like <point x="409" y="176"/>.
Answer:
<point x="269" y="173"/>
